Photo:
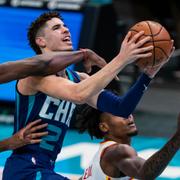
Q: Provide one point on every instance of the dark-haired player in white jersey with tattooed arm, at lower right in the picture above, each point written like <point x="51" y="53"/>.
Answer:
<point x="116" y="159"/>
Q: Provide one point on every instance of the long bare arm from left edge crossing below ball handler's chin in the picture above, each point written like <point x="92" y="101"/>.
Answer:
<point x="49" y="63"/>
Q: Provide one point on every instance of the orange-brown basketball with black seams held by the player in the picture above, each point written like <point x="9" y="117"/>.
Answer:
<point x="160" y="39"/>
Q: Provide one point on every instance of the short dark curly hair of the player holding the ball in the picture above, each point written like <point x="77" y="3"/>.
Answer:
<point x="37" y="25"/>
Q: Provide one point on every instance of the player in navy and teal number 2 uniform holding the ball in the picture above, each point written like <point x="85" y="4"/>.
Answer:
<point x="53" y="98"/>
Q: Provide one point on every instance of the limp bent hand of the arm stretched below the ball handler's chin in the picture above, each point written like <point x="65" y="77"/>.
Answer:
<point x="92" y="59"/>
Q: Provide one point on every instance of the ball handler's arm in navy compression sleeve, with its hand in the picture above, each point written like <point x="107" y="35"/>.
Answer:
<point x="125" y="105"/>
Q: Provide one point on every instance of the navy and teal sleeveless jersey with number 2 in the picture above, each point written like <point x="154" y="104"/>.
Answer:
<point x="56" y="112"/>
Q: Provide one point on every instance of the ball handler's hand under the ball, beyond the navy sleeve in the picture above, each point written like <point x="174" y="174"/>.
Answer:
<point x="152" y="71"/>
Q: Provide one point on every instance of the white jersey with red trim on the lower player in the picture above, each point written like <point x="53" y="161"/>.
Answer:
<point x="94" y="171"/>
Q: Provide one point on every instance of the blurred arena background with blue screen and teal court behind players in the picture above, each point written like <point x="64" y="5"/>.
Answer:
<point x="101" y="26"/>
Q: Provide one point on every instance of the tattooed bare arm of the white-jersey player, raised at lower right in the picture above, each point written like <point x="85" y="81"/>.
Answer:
<point x="126" y="160"/>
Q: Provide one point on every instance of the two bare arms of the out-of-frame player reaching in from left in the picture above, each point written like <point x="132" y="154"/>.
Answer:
<point x="41" y="65"/>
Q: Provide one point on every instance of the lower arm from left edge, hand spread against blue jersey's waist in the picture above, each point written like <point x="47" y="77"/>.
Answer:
<point x="27" y="135"/>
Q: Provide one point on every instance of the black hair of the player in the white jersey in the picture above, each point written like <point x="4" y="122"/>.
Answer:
<point x="88" y="118"/>
